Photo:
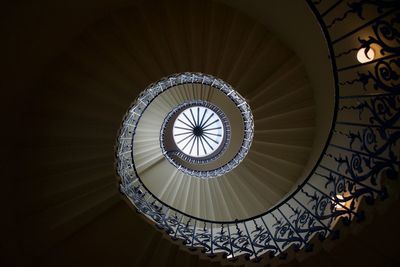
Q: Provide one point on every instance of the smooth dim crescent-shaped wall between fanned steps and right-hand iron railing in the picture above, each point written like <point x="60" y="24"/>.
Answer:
<point x="293" y="22"/>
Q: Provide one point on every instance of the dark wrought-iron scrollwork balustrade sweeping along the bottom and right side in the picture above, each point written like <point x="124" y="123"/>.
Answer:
<point x="362" y="151"/>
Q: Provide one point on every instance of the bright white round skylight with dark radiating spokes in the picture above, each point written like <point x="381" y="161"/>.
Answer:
<point x="198" y="131"/>
